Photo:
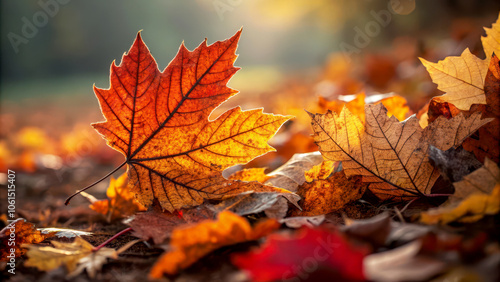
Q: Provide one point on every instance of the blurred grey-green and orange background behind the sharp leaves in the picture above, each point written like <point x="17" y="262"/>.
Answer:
<point x="53" y="51"/>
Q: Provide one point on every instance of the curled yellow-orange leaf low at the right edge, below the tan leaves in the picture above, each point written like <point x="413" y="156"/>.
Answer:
<point x="477" y="195"/>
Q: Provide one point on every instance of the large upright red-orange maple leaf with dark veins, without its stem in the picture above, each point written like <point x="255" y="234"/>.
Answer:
<point x="159" y="122"/>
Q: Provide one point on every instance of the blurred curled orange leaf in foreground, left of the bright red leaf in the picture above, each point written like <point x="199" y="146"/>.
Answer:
<point x="192" y="243"/>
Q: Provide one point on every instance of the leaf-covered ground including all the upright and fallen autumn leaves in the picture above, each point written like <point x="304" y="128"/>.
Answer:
<point x="360" y="186"/>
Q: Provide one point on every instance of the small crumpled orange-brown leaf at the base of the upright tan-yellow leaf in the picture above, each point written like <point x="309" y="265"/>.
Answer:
<point x="326" y="191"/>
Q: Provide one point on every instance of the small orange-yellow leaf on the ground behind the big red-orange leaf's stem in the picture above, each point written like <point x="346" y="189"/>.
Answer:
<point x="120" y="203"/>
